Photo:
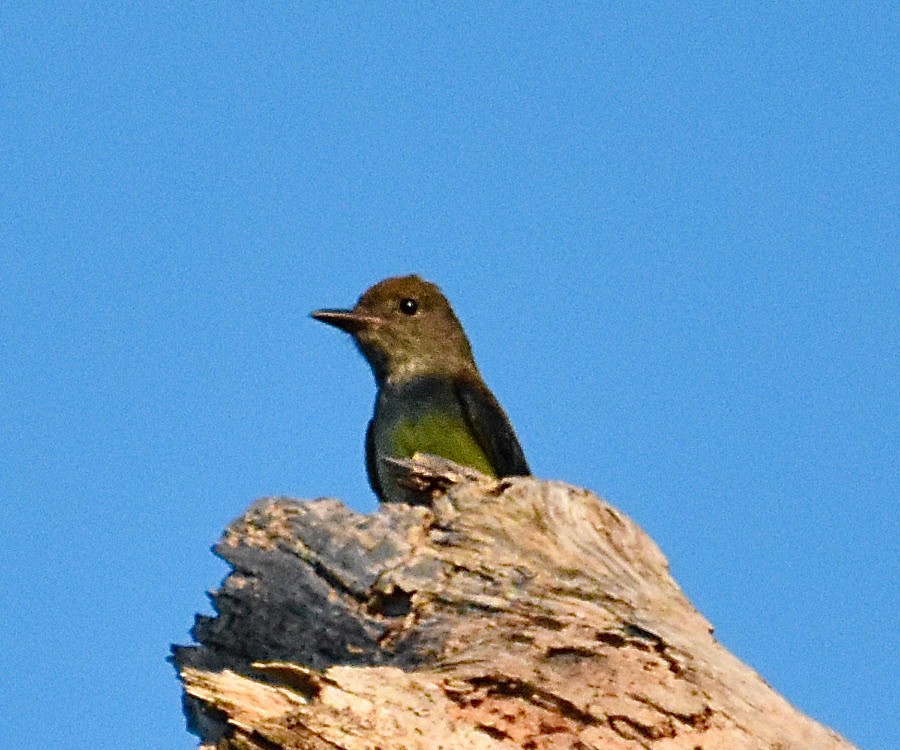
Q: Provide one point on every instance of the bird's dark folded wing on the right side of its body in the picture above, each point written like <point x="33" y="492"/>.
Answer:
<point x="492" y="429"/>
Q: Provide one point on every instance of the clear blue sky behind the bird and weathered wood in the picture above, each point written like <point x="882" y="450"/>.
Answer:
<point x="670" y="231"/>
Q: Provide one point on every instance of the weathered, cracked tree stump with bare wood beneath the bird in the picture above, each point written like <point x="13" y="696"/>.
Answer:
<point x="494" y="614"/>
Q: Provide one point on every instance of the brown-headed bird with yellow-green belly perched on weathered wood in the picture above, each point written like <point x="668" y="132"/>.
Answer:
<point x="431" y="397"/>
